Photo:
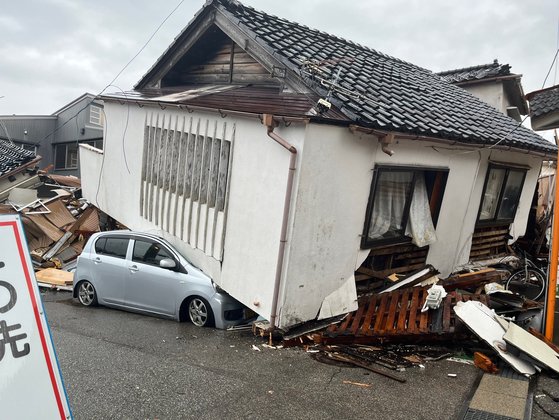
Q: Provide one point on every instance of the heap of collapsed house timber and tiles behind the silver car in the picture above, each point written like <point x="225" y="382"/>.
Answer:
<point x="56" y="220"/>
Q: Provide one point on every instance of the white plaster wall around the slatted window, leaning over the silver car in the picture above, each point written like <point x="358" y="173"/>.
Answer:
<point x="258" y="178"/>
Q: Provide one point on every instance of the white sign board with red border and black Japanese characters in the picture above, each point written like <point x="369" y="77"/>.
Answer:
<point x="31" y="385"/>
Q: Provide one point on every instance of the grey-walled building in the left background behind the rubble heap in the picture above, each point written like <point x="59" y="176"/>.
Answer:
<point x="56" y="137"/>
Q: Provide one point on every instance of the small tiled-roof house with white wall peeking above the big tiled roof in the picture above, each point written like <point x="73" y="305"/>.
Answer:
<point x="492" y="83"/>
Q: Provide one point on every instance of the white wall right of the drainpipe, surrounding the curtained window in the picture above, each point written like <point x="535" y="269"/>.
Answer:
<point x="332" y="197"/>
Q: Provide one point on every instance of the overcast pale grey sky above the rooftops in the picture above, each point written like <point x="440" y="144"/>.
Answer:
<point x="53" y="51"/>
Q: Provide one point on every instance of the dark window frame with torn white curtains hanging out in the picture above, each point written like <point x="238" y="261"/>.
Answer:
<point x="367" y="243"/>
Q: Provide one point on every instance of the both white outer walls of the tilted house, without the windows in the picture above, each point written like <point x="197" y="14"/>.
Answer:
<point x="332" y="184"/>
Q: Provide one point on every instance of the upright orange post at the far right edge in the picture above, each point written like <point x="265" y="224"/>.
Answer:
<point x="554" y="260"/>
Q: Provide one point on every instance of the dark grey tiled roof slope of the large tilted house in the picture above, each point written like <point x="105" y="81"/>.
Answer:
<point x="381" y="91"/>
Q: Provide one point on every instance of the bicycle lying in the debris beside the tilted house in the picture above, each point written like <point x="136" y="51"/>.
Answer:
<point x="528" y="281"/>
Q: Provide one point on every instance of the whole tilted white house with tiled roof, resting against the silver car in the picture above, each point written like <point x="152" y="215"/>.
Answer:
<point x="288" y="163"/>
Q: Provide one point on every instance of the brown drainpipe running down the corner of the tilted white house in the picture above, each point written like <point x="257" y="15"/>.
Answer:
<point x="268" y="120"/>
